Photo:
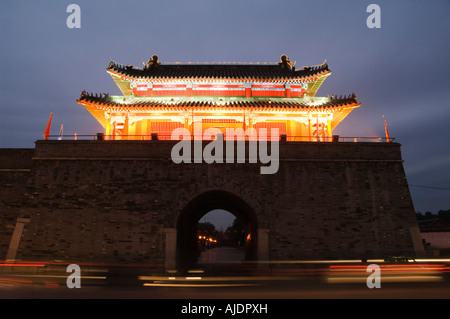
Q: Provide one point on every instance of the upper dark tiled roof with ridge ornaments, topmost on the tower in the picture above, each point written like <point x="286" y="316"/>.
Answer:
<point x="155" y="70"/>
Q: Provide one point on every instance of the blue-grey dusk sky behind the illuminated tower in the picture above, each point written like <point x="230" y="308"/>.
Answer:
<point x="400" y="70"/>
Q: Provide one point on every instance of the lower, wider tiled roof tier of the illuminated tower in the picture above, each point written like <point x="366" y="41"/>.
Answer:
<point x="105" y="100"/>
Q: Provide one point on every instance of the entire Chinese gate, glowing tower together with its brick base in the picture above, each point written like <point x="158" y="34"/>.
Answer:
<point x="121" y="199"/>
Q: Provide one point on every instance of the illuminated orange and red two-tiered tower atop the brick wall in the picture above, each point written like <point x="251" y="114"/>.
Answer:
<point x="159" y="98"/>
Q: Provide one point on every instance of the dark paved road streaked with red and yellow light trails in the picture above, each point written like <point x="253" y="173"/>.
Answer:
<point x="219" y="278"/>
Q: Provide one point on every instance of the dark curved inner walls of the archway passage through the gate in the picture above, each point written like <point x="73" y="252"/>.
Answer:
<point x="187" y="249"/>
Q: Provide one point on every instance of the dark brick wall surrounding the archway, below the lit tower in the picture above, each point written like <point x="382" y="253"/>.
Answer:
<point x="109" y="201"/>
